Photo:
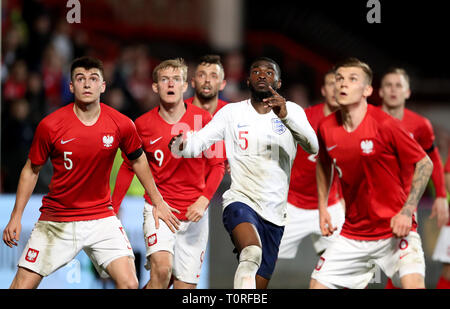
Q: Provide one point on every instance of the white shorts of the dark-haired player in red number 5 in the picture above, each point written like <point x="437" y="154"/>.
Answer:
<point x="54" y="244"/>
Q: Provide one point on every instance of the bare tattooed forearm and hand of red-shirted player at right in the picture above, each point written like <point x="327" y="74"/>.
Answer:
<point x="401" y="223"/>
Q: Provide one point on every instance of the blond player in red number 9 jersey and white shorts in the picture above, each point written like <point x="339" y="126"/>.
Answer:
<point x="181" y="181"/>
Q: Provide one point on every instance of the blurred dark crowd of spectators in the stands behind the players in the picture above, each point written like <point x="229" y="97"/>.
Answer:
<point x="37" y="49"/>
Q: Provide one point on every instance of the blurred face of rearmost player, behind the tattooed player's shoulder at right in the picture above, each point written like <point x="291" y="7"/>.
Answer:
<point x="394" y="90"/>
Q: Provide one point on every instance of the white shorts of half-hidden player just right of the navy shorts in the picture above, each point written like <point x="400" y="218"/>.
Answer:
<point x="304" y="222"/>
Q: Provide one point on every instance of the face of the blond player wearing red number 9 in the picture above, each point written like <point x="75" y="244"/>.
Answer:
<point x="170" y="85"/>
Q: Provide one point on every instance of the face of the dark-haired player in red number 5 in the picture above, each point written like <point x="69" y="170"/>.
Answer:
<point x="87" y="85"/>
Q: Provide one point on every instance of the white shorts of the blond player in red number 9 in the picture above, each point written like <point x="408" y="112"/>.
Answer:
<point x="187" y="245"/>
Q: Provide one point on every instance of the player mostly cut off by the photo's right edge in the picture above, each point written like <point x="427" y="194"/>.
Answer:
<point x="442" y="250"/>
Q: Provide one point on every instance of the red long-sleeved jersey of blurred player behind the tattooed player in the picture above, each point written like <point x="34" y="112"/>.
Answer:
<point x="422" y="131"/>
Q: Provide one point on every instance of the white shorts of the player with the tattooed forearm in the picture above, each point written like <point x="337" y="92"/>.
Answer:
<point x="350" y="263"/>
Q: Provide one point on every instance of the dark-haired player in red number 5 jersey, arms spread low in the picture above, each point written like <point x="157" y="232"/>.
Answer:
<point x="81" y="140"/>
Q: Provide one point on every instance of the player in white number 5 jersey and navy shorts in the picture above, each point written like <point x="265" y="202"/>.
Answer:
<point x="261" y="136"/>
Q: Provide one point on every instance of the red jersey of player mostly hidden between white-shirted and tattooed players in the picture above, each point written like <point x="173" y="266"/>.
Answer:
<point x="303" y="186"/>
